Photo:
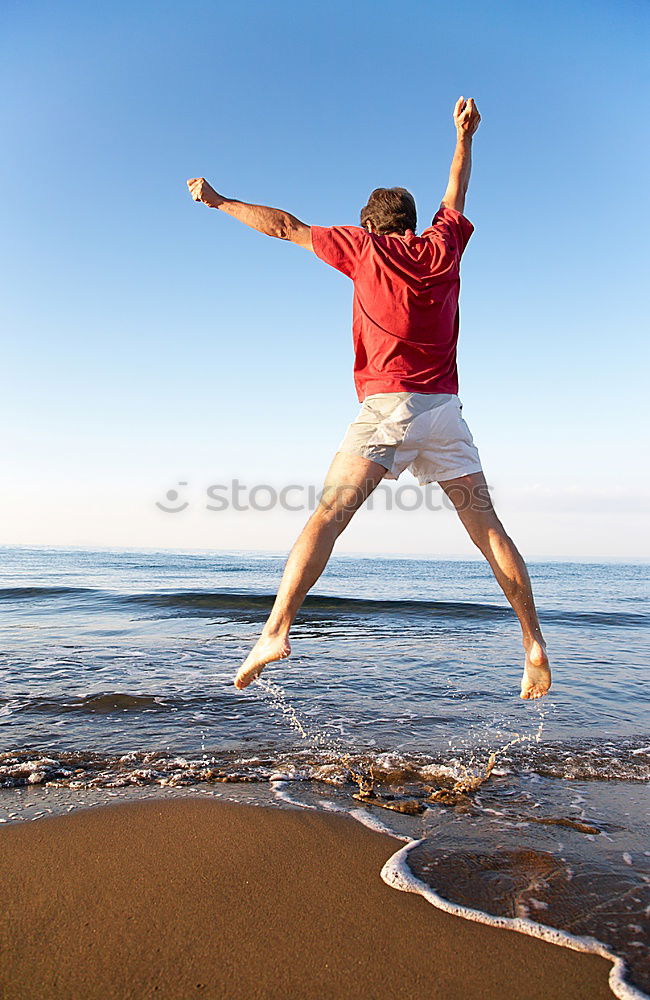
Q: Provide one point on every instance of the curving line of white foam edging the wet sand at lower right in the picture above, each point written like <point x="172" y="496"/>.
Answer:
<point x="397" y="874"/>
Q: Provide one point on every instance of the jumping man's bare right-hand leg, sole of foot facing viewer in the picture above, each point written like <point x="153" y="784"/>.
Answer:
<point x="470" y="496"/>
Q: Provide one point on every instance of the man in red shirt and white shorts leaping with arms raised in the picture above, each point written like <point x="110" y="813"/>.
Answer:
<point x="405" y="331"/>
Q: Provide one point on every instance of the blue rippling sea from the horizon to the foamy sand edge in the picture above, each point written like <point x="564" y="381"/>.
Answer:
<point x="398" y="706"/>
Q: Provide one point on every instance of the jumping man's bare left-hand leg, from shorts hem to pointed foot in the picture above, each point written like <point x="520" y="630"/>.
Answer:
<point x="349" y="482"/>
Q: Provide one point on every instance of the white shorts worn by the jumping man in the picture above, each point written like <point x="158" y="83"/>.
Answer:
<point x="422" y="432"/>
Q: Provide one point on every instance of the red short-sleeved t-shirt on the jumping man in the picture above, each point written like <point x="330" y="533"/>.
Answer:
<point x="405" y="310"/>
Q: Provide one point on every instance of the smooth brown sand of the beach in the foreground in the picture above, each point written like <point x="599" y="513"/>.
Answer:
<point x="189" y="898"/>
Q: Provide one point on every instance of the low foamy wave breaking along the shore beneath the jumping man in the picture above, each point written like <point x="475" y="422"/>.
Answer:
<point x="377" y="774"/>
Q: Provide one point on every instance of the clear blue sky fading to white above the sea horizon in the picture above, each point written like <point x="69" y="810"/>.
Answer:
<point x="149" y="341"/>
